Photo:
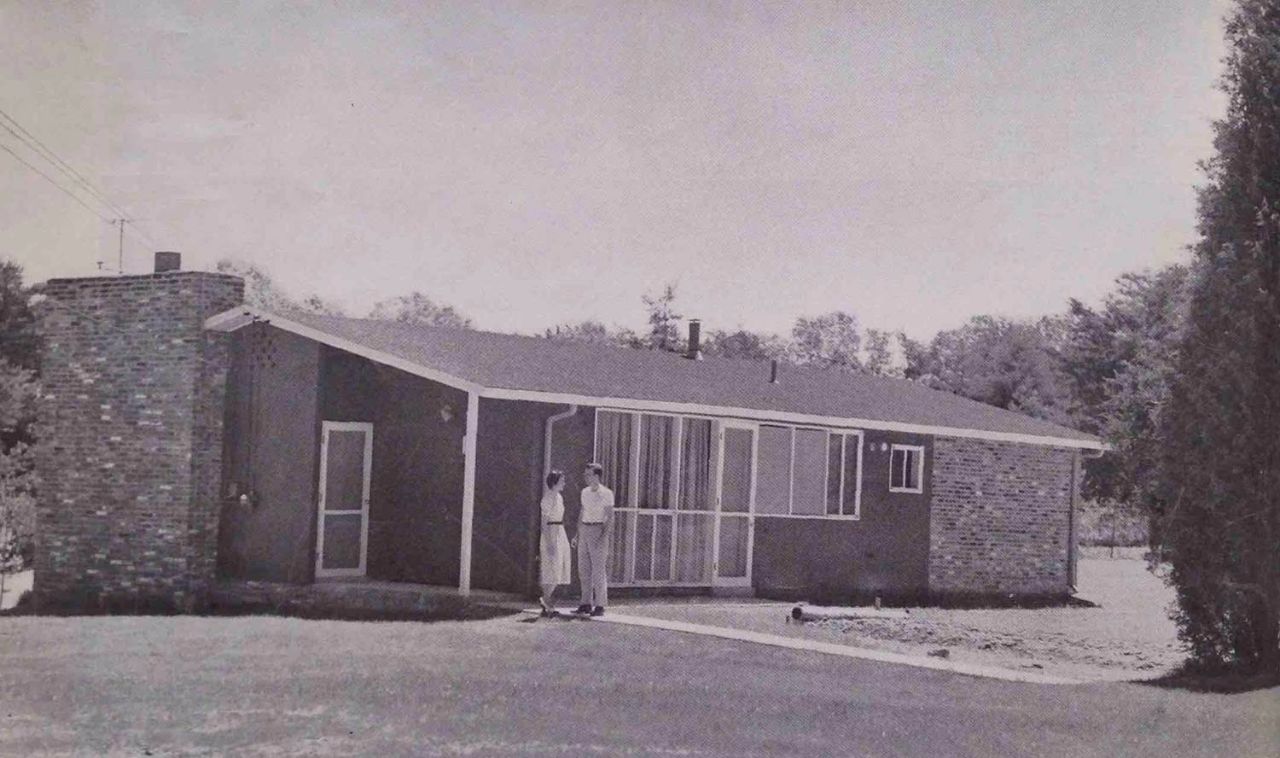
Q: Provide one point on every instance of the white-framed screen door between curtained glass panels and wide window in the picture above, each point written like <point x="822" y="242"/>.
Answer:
<point x="734" y="524"/>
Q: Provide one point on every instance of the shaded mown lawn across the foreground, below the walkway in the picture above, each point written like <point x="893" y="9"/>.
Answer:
<point x="290" y="687"/>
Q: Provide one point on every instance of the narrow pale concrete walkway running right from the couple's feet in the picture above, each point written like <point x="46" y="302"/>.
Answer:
<point x="831" y="649"/>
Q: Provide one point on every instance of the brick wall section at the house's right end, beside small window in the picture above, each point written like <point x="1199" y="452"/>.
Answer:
<point x="1000" y="519"/>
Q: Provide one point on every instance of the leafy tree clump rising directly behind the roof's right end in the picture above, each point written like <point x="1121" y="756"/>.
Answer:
<point x="1008" y="364"/>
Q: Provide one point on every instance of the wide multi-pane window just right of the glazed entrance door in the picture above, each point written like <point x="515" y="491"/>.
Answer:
<point x="810" y="473"/>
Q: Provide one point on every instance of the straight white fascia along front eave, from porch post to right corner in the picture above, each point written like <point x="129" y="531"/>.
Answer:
<point x="787" y="418"/>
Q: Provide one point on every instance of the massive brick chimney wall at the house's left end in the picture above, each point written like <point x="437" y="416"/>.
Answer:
<point x="132" y="417"/>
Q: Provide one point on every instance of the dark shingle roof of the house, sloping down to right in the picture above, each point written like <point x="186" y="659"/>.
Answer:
<point x="511" y="362"/>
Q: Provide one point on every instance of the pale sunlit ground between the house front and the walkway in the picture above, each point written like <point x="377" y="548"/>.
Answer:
<point x="1126" y="636"/>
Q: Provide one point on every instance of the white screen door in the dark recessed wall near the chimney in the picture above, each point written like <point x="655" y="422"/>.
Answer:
<point x="342" y="529"/>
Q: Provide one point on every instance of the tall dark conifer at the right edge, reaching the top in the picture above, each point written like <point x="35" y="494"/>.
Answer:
<point x="1217" y="496"/>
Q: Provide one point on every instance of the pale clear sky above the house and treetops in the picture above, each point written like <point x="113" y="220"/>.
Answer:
<point x="541" y="163"/>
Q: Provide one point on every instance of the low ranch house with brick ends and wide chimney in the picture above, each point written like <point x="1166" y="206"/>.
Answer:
<point x="196" y="440"/>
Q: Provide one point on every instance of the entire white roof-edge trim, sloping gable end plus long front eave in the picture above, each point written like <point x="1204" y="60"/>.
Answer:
<point x="241" y="317"/>
